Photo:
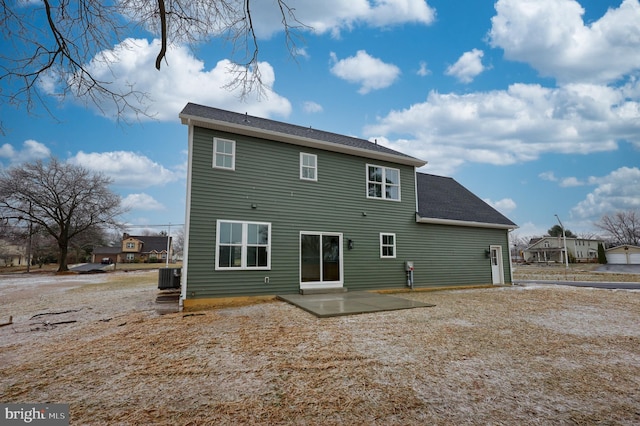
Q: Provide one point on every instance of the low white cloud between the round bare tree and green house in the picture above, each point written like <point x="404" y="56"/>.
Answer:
<point x="127" y="169"/>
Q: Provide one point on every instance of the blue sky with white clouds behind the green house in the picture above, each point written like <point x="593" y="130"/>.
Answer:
<point x="534" y="105"/>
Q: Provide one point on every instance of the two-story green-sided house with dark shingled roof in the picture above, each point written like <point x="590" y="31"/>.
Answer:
<point x="274" y="208"/>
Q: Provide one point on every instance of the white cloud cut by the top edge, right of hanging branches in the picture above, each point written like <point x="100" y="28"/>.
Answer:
<point x="334" y="16"/>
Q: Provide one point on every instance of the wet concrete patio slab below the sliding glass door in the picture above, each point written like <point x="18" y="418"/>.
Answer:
<point x="350" y="303"/>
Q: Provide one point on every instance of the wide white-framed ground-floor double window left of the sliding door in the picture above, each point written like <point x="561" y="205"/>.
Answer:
<point x="243" y="245"/>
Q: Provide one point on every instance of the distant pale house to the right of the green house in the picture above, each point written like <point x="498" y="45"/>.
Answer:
<point x="551" y="249"/>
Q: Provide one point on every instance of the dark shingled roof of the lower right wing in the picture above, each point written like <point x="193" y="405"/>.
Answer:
<point x="444" y="198"/>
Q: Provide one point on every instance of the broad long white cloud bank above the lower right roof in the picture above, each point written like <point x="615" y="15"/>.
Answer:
<point x="510" y="126"/>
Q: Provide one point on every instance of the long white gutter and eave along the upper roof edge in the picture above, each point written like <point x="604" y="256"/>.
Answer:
<point x="224" y="126"/>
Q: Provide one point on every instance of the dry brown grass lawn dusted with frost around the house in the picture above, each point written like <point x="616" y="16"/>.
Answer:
<point x="512" y="355"/>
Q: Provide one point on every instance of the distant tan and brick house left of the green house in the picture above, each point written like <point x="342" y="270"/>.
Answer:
<point x="139" y="249"/>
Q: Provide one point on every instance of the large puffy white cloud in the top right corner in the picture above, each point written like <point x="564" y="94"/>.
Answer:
<point x="552" y="36"/>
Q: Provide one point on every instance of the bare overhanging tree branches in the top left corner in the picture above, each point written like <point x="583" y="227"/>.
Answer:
<point x="54" y="43"/>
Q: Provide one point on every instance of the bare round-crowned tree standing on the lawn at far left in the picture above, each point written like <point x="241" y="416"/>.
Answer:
<point x="62" y="199"/>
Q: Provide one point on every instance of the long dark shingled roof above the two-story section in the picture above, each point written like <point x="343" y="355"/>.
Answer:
<point x="214" y="114"/>
